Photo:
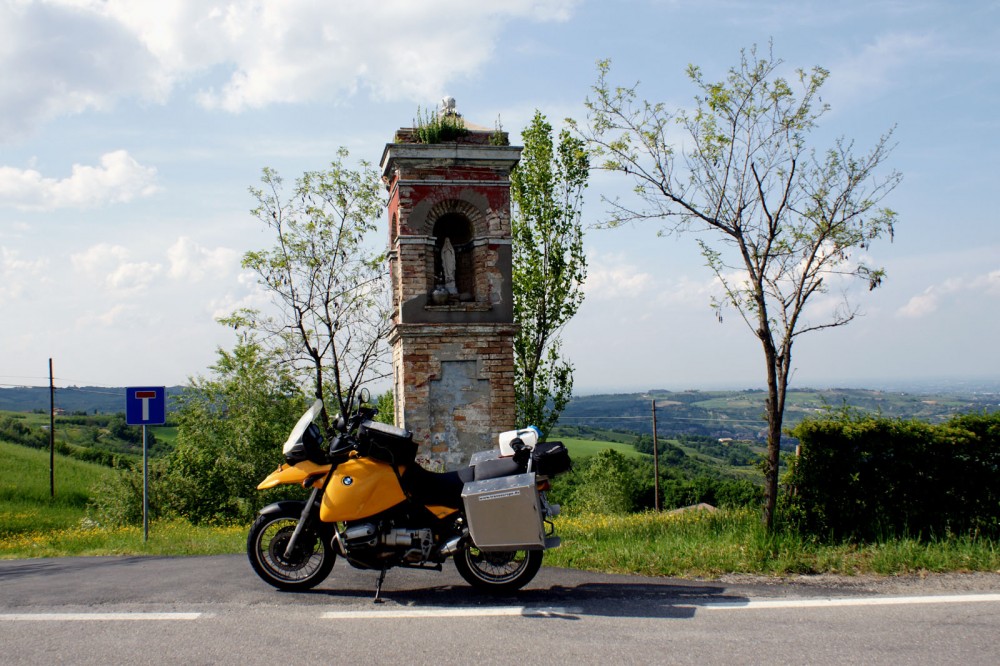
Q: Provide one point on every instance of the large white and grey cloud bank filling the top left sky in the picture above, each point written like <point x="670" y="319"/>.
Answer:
<point x="69" y="56"/>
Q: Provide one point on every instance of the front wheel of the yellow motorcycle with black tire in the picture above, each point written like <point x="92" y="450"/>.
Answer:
<point x="310" y="563"/>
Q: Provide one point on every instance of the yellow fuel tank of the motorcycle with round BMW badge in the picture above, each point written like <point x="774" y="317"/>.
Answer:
<point x="360" y="487"/>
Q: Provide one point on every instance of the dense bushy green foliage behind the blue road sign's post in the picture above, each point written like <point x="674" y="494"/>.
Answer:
<point x="230" y="428"/>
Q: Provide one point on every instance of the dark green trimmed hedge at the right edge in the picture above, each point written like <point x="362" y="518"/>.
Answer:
<point x="868" y="477"/>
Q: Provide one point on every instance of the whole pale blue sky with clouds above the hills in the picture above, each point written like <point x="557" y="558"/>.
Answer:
<point x="130" y="132"/>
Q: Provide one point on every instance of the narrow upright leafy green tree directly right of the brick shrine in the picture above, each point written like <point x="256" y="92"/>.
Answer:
<point x="549" y="267"/>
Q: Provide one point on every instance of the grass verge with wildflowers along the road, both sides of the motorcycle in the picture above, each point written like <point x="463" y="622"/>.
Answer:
<point x="691" y="545"/>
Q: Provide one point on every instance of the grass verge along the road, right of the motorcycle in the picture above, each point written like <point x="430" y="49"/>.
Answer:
<point x="707" y="545"/>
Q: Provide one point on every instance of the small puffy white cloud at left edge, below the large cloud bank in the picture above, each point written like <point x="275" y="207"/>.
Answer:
<point x="118" y="179"/>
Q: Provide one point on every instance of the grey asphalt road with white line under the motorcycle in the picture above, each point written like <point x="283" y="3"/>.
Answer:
<point x="214" y="610"/>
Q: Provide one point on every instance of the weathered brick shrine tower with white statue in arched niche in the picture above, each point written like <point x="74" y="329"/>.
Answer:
<point x="450" y="267"/>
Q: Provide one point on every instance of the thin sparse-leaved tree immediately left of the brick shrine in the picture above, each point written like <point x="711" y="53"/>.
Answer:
<point x="330" y="315"/>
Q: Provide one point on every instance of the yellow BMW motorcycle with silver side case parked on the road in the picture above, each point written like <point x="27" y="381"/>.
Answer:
<point x="376" y="507"/>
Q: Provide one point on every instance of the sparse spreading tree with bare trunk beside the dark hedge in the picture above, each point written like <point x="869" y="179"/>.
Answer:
<point x="779" y="222"/>
